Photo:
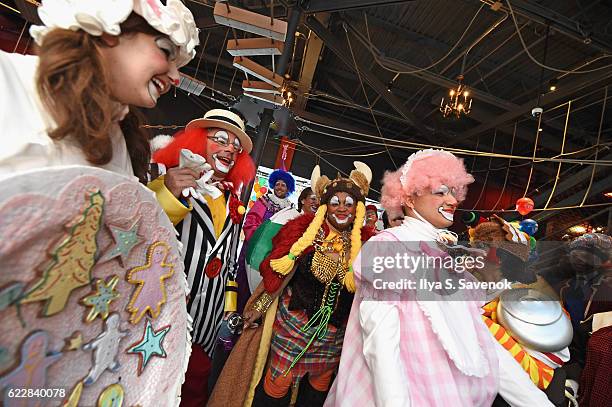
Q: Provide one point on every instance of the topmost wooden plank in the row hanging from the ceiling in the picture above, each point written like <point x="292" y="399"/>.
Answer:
<point x="248" y="21"/>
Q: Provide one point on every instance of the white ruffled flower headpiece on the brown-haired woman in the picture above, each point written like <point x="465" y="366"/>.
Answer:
<point x="105" y="16"/>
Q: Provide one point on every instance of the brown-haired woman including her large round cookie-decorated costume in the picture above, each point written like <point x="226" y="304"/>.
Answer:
<point x="81" y="229"/>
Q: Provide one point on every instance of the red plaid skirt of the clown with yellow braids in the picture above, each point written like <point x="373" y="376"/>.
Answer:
<point x="288" y="341"/>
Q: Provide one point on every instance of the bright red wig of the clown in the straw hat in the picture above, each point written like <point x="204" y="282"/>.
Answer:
<point x="193" y="139"/>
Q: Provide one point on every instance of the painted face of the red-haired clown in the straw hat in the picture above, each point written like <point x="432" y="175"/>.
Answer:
<point x="222" y="148"/>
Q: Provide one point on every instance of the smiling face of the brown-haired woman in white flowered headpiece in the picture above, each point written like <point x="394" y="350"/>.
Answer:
<point x="141" y="68"/>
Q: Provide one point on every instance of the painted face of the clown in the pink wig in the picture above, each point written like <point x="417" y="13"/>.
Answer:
<point x="437" y="208"/>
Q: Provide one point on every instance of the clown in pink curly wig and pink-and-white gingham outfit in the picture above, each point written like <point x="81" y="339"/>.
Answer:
<point x="408" y="345"/>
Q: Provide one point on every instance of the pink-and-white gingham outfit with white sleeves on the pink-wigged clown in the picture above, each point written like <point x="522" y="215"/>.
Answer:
<point x="393" y="355"/>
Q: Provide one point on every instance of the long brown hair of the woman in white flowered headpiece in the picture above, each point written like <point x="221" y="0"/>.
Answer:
<point x="74" y="88"/>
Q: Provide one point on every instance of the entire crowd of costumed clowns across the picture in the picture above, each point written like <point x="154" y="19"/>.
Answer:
<point x="149" y="283"/>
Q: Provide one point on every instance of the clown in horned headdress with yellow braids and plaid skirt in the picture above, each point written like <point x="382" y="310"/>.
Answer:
<point x="304" y="302"/>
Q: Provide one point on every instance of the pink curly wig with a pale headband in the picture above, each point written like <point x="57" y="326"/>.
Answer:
<point x="424" y="171"/>
